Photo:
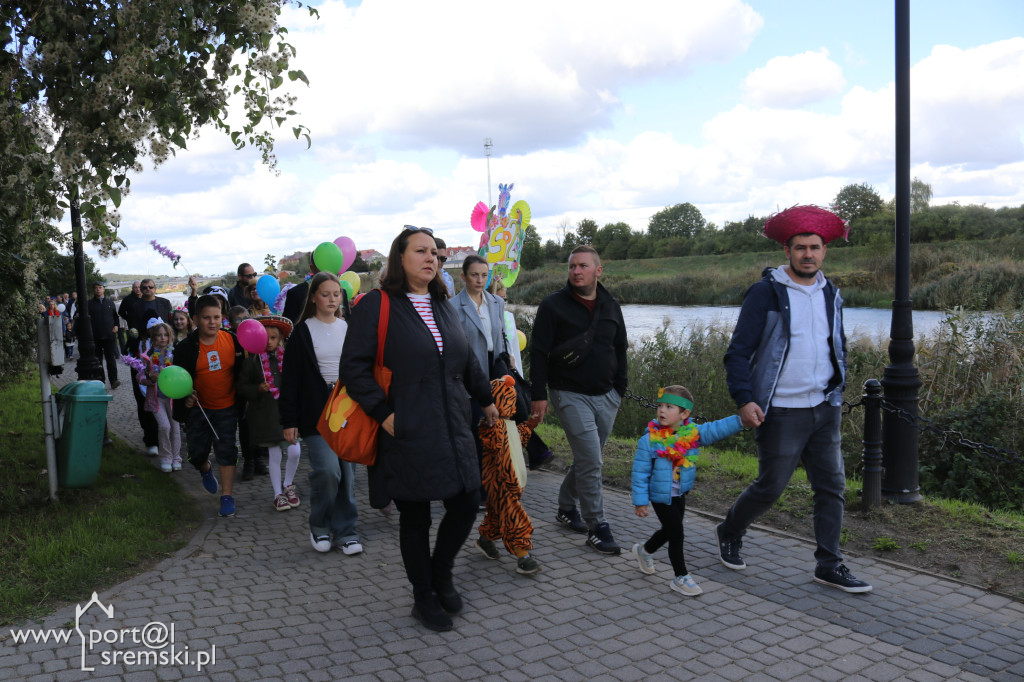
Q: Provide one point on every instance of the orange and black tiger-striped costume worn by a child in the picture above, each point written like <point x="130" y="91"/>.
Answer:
<point x="504" y="518"/>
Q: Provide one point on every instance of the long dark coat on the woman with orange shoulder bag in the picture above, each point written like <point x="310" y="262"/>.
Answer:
<point x="433" y="455"/>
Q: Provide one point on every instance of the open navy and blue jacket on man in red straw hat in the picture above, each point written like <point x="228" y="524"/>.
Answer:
<point x="761" y="342"/>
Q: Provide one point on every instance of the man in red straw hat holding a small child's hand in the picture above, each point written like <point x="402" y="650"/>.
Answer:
<point x="786" y="368"/>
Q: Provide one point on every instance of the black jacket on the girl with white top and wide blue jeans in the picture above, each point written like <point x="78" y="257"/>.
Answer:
<point x="304" y="391"/>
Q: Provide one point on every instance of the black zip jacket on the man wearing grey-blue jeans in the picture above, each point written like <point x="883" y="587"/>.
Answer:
<point x="560" y="318"/>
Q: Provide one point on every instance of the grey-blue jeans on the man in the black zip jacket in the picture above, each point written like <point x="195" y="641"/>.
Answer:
<point x="587" y="421"/>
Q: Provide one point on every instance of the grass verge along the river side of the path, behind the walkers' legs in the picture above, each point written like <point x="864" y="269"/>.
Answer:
<point x="961" y="540"/>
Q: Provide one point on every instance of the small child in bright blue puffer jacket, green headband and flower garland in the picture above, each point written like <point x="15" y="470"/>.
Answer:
<point x="664" y="473"/>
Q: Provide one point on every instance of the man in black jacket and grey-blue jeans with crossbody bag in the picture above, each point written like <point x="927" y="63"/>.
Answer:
<point x="579" y="352"/>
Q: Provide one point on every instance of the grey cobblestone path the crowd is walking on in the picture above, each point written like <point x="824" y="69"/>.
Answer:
<point x="252" y="590"/>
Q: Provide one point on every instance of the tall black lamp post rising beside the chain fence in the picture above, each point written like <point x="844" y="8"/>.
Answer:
<point x="900" y="380"/>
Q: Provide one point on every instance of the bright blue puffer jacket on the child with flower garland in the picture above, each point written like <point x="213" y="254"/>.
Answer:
<point x="653" y="475"/>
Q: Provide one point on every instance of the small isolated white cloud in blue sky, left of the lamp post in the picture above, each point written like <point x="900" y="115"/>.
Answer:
<point x="789" y="82"/>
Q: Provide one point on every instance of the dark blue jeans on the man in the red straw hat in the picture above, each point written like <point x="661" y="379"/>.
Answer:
<point x="791" y="436"/>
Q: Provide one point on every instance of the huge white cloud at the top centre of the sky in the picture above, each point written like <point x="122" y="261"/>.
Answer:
<point x="429" y="75"/>
